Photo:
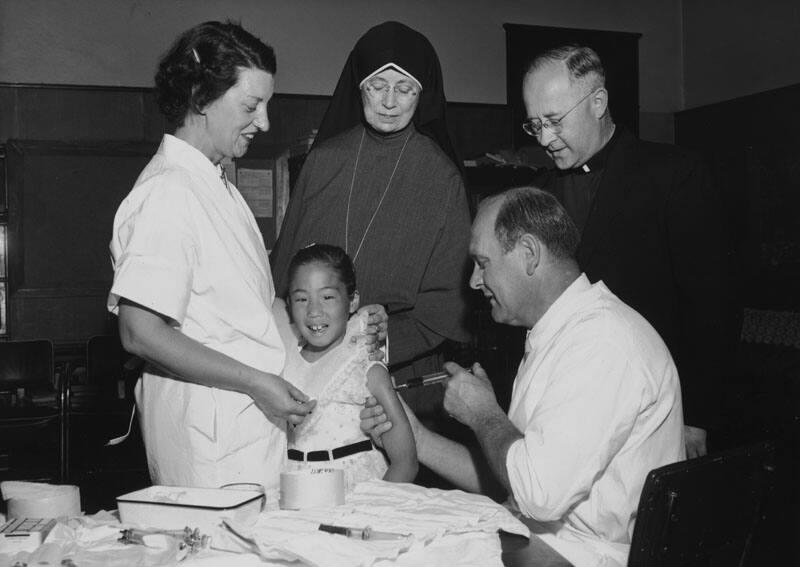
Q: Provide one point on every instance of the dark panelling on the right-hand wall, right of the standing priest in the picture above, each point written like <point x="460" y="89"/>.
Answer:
<point x="752" y="144"/>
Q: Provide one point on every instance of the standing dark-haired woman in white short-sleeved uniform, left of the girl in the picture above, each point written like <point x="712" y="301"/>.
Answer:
<point x="192" y="284"/>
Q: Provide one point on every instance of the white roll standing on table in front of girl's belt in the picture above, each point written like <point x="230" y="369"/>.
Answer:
<point x="312" y="488"/>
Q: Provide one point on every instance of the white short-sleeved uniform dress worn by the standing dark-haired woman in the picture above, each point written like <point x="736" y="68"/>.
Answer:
<point x="187" y="246"/>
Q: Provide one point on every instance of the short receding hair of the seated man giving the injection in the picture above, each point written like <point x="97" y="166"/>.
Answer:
<point x="530" y="210"/>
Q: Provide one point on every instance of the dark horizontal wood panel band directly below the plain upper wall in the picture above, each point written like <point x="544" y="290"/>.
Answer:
<point x="66" y="113"/>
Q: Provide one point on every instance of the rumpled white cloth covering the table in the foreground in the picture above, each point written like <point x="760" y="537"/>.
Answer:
<point x="446" y="527"/>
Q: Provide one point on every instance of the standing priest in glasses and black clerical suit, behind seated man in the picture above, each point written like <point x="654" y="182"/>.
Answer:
<point x="650" y="221"/>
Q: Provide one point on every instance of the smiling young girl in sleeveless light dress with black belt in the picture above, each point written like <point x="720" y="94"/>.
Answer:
<point x="332" y="366"/>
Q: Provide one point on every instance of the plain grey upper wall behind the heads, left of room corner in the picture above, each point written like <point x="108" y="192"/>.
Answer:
<point x="117" y="42"/>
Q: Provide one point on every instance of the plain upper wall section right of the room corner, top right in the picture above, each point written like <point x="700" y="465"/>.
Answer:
<point x="739" y="47"/>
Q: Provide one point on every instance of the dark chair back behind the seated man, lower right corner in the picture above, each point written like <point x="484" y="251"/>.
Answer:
<point x="705" y="511"/>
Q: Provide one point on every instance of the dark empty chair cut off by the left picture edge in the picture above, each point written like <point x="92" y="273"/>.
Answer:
<point x="32" y="441"/>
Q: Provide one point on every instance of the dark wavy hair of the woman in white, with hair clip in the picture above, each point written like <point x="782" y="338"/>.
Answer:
<point x="204" y="63"/>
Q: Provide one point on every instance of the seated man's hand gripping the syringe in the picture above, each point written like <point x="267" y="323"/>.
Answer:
<point x="469" y="396"/>
